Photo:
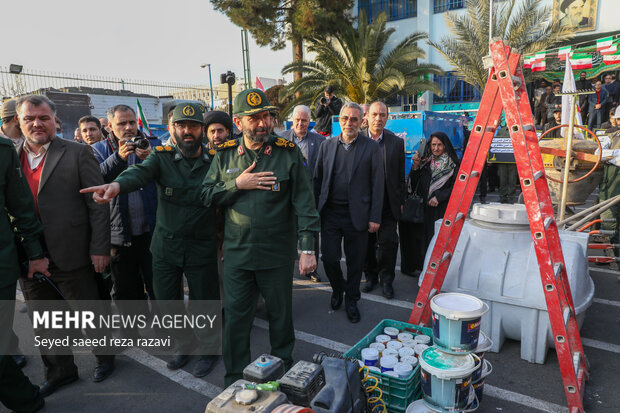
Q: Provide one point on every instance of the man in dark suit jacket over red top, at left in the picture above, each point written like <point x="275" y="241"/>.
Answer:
<point x="76" y="231"/>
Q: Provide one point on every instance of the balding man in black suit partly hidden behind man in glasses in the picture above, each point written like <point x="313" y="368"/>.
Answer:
<point x="383" y="245"/>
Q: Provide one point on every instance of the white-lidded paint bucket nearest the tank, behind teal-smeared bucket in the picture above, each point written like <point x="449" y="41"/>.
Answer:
<point x="456" y="322"/>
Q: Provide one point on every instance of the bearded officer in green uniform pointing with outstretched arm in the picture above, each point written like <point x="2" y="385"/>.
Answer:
<point x="184" y="237"/>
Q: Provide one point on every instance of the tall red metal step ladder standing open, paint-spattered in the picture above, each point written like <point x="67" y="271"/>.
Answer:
<point x="505" y="90"/>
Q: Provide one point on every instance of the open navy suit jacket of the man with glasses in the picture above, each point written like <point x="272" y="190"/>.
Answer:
<point x="366" y="182"/>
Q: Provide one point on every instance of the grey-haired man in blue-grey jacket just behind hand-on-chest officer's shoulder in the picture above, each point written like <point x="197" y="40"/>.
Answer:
<point x="309" y="143"/>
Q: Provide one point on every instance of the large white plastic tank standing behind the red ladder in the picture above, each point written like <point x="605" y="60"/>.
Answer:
<point x="495" y="261"/>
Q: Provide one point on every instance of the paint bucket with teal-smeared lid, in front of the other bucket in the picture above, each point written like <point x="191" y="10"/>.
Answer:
<point x="446" y="379"/>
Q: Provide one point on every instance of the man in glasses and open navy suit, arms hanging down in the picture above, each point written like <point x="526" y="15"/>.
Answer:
<point x="348" y="182"/>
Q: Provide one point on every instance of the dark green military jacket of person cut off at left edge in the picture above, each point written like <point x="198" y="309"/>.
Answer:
<point x="18" y="213"/>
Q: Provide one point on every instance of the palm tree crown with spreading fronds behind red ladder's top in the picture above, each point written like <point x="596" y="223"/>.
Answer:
<point x="529" y="29"/>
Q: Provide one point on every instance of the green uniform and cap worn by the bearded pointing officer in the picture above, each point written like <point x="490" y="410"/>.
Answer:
<point x="184" y="239"/>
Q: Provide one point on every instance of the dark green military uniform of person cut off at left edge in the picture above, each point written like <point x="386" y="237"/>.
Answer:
<point x="16" y="391"/>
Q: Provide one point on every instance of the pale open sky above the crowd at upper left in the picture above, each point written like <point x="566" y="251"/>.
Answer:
<point x="134" y="39"/>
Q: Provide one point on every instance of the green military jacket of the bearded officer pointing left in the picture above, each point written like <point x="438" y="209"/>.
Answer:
<point x="185" y="228"/>
